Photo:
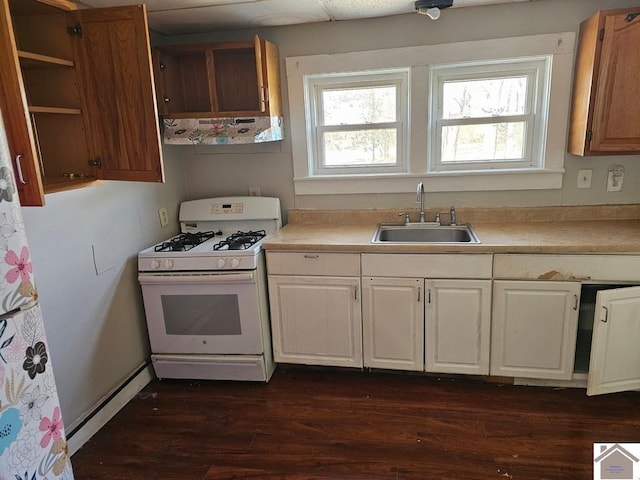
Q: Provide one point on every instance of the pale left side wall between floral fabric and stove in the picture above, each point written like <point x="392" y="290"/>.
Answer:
<point x="94" y="323"/>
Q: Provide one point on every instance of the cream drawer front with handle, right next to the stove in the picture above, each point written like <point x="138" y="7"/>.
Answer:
<point x="312" y="263"/>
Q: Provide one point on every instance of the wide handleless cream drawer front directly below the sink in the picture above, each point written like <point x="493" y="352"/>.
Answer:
<point x="436" y="265"/>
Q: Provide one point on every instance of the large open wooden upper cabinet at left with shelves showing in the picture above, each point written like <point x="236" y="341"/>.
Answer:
<point x="77" y="96"/>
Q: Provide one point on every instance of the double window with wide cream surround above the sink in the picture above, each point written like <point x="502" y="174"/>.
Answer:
<point x="483" y="115"/>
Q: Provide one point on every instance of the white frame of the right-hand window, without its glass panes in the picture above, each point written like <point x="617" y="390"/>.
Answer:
<point x="538" y="72"/>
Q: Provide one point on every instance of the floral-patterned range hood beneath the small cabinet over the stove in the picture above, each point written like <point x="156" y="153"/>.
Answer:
<point x="222" y="131"/>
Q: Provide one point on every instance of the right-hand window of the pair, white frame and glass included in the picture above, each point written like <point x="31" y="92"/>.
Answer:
<point x="489" y="116"/>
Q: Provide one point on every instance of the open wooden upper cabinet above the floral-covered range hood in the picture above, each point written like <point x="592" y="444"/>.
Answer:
<point x="225" y="79"/>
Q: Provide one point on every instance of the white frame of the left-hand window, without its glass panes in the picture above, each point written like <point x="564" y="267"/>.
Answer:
<point x="315" y="85"/>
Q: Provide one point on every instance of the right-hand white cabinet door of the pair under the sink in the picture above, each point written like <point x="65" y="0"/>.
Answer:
<point x="458" y="325"/>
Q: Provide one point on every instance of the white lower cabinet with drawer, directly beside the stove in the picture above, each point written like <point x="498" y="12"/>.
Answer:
<point x="315" y="317"/>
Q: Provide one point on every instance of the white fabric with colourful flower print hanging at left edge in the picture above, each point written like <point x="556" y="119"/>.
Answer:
<point x="32" y="439"/>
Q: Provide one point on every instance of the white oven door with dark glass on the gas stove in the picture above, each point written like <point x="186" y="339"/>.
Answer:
<point x="193" y="317"/>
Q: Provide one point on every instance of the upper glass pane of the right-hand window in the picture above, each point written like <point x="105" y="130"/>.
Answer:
<point x="484" y="98"/>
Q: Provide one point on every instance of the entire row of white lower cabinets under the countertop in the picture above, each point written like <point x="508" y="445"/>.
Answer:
<point x="443" y="313"/>
